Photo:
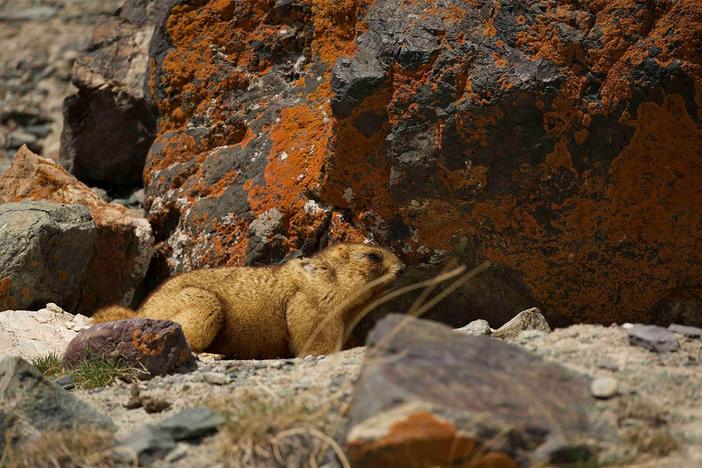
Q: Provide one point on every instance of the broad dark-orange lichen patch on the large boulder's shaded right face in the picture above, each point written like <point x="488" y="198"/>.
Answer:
<point x="624" y="240"/>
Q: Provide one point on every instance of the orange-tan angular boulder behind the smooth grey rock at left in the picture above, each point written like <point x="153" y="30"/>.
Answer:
<point x="123" y="245"/>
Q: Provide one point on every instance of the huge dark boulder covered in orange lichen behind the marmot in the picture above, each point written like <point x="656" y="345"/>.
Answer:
<point x="560" y="140"/>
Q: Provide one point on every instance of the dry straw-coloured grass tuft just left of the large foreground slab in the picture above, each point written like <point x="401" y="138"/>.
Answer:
<point x="264" y="431"/>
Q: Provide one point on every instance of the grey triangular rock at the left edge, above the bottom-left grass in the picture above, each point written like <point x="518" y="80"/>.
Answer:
<point x="31" y="404"/>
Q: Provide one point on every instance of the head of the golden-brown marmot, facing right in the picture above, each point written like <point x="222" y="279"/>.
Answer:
<point x="358" y="269"/>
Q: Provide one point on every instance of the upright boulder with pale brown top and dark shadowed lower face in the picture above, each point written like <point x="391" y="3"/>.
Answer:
<point x="108" y="125"/>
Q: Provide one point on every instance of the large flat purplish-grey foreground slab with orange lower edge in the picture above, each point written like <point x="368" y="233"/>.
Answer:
<point x="429" y="396"/>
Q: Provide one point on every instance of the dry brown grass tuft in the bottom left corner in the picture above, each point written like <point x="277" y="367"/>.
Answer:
<point x="65" y="449"/>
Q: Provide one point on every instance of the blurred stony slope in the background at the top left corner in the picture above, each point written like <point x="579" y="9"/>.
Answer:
<point x="40" y="41"/>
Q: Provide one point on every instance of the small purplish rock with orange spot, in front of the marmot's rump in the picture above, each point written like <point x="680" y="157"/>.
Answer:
<point x="157" y="345"/>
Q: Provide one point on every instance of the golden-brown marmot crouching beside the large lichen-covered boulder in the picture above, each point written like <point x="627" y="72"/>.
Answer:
<point x="300" y="307"/>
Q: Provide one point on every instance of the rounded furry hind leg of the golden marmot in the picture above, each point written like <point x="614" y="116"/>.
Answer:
<point x="200" y="315"/>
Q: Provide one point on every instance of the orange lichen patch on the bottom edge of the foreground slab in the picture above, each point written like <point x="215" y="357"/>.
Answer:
<point x="423" y="440"/>
